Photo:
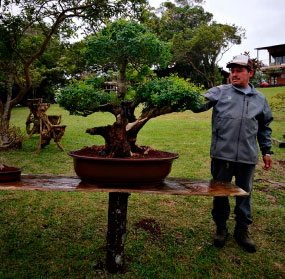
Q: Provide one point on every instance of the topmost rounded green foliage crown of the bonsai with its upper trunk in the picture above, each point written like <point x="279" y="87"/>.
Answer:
<point x="123" y="43"/>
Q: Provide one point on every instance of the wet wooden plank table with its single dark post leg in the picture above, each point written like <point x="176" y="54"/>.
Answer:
<point x="118" y="201"/>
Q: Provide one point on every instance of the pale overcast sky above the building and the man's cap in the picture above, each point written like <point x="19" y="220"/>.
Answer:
<point x="263" y="20"/>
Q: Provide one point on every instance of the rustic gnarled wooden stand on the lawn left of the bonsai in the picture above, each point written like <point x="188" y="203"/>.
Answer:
<point x="47" y="126"/>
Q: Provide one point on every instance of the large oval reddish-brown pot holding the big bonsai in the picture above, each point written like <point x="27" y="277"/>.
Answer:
<point x="130" y="171"/>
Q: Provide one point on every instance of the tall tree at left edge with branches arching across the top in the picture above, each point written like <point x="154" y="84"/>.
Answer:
<point x="50" y="17"/>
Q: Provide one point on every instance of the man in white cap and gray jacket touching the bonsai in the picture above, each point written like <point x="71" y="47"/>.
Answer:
<point x="241" y="117"/>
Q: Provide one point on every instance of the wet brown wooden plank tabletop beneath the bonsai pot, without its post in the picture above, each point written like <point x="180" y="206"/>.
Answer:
<point x="171" y="186"/>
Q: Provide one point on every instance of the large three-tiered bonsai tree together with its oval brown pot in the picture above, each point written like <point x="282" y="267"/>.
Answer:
<point x="123" y="45"/>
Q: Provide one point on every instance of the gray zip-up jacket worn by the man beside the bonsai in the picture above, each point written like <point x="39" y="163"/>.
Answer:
<point x="238" y="119"/>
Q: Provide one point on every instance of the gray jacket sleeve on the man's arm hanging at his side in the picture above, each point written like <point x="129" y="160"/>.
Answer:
<point x="264" y="131"/>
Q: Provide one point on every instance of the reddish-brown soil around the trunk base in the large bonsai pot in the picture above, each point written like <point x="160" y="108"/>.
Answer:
<point x="98" y="151"/>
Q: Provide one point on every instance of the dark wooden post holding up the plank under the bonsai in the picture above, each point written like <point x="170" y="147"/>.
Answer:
<point x="116" y="235"/>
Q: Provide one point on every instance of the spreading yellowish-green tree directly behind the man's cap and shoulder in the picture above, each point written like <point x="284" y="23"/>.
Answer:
<point x="203" y="47"/>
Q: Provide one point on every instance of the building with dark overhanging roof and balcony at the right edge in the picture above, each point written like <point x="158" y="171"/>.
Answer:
<point x="275" y="69"/>
